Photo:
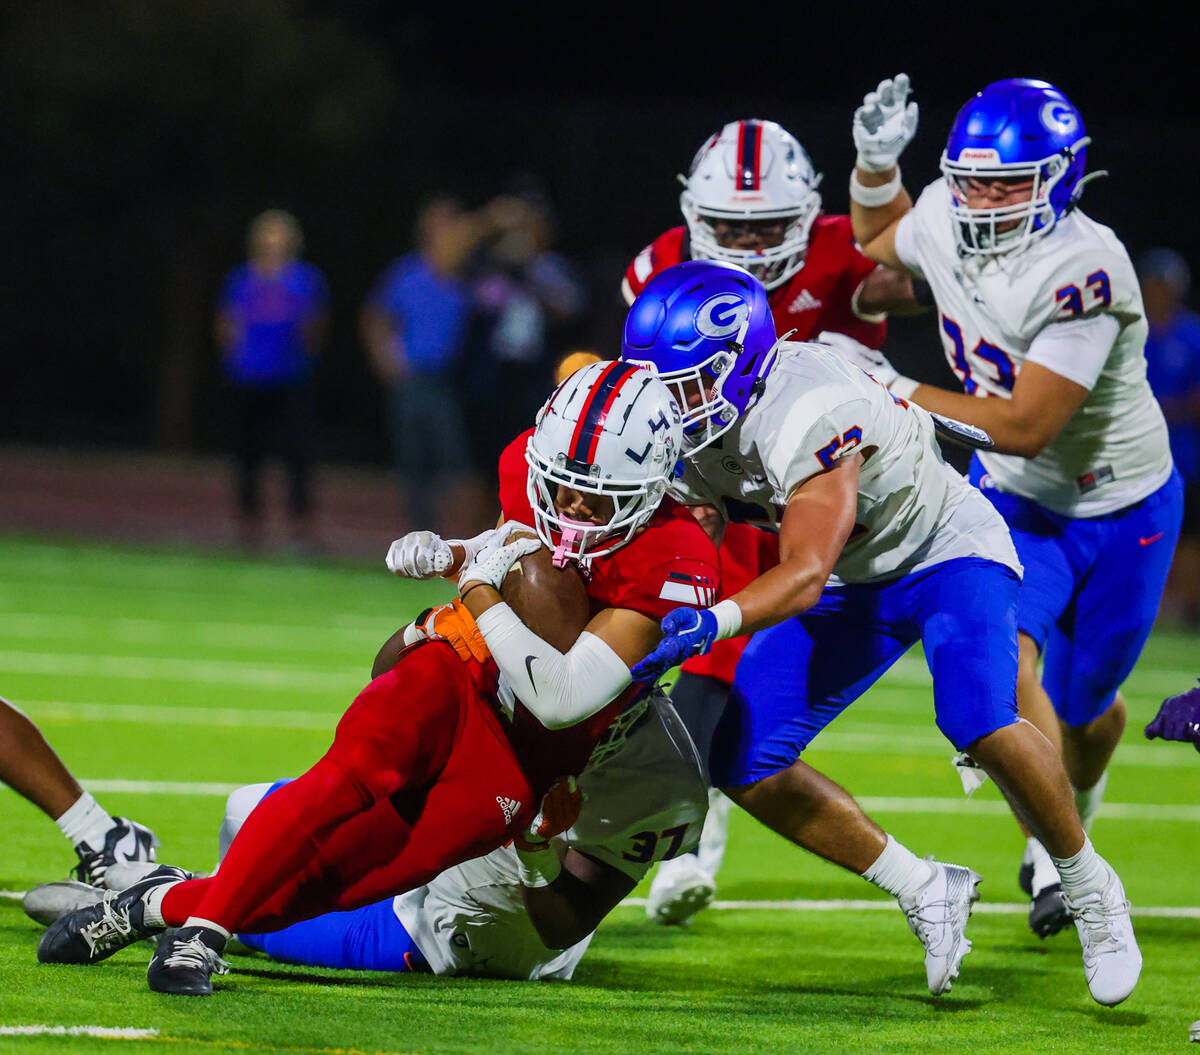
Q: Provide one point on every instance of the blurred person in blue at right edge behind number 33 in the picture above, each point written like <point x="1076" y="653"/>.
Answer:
<point x="1173" y="368"/>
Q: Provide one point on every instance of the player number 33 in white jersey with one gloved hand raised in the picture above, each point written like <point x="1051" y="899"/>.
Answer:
<point x="1040" y="309"/>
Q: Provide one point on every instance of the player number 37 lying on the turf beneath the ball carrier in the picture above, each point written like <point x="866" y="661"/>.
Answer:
<point x="645" y="801"/>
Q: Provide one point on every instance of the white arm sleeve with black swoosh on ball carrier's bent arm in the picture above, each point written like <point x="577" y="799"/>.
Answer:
<point x="560" y="690"/>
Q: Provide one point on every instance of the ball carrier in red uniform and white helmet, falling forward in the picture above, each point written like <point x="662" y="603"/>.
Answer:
<point x="446" y="757"/>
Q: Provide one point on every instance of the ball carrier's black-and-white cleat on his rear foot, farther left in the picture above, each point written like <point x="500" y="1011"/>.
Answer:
<point x="94" y="933"/>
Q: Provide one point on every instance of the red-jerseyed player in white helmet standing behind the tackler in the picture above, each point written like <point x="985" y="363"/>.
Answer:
<point x="752" y="199"/>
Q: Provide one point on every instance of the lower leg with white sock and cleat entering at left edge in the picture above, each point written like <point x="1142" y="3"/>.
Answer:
<point x="33" y="769"/>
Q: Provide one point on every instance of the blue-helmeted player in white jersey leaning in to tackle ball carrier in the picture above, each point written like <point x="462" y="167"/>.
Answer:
<point x="854" y="479"/>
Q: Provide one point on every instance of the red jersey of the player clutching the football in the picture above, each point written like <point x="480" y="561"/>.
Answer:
<point x="671" y="564"/>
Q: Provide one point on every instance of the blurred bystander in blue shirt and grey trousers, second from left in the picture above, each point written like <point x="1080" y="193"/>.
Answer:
<point x="416" y="325"/>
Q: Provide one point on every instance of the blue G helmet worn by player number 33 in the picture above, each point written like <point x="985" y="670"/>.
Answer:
<point x="1016" y="129"/>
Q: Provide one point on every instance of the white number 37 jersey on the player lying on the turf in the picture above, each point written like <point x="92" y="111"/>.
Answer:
<point x="644" y="805"/>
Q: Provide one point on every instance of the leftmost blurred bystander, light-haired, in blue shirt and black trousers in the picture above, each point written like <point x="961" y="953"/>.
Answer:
<point x="271" y="326"/>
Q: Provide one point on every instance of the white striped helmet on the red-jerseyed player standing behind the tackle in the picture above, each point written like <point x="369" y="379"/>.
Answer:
<point x="753" y="172"/>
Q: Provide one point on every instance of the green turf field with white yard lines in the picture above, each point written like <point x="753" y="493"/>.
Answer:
<point x="166" y="679"/>
